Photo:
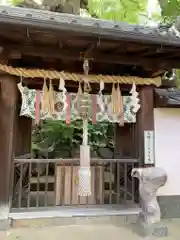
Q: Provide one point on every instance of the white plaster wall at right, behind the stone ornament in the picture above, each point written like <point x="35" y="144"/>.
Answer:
<point x="167" y="147"/>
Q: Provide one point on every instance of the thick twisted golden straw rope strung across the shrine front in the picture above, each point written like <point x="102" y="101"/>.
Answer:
<point x="52" y="74"/>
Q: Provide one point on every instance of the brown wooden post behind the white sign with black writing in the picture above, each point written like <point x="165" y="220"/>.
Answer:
<point x="145" y="120"/>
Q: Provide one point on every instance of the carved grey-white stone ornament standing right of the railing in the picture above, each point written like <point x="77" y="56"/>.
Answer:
<point x="150" y="180"/>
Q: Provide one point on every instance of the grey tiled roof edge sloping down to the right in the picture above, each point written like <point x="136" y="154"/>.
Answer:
<point x="89" y="26"/>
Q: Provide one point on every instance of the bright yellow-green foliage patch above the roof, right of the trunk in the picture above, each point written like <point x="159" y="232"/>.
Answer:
<point x="117" y="10"/>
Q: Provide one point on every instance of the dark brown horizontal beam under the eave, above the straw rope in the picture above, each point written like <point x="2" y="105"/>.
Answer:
<point x="69" y="54"/>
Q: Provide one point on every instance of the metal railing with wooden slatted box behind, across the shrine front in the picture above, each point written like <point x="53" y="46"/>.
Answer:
<point x="54" y="182"/>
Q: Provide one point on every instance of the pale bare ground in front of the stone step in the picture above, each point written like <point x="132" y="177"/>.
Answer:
<point x="86" y="232"/>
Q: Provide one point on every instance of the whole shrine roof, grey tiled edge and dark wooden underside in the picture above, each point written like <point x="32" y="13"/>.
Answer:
<point x="42" y="39"/>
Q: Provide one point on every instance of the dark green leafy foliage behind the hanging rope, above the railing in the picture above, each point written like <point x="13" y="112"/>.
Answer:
<point x="53" y="136"/>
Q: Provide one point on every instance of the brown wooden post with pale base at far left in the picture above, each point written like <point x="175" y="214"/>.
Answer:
<point x="8" y="103"/>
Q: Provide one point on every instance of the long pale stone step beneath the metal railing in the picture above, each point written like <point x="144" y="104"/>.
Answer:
<point x="63" y="216"/>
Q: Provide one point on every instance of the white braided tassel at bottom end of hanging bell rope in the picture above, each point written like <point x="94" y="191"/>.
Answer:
<point x="84" y="181"/>
